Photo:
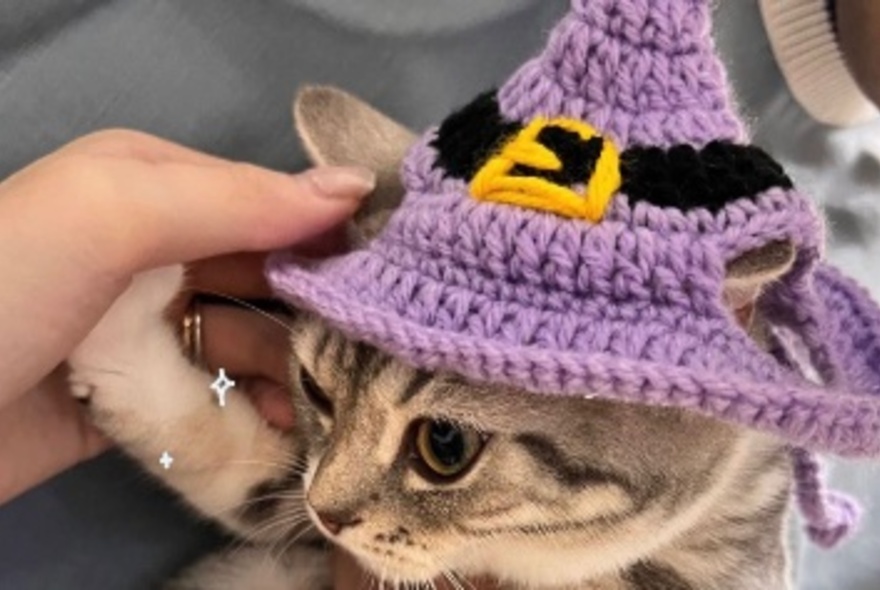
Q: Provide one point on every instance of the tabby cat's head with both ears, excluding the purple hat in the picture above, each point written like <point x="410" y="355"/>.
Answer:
<point x="418" y="473"/>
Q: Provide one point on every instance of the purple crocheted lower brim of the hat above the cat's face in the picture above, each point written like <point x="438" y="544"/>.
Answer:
<point x="780" y="402"/>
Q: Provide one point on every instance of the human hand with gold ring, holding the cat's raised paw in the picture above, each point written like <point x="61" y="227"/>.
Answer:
<point x="77" y="224"/>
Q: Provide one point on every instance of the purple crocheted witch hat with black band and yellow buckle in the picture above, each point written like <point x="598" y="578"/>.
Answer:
<point x="572" y="232"/>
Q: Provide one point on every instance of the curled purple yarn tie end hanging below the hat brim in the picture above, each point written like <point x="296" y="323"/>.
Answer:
<point x="831" y="516"/>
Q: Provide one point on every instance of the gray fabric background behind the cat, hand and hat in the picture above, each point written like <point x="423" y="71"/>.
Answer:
<point x="218" y="75"/>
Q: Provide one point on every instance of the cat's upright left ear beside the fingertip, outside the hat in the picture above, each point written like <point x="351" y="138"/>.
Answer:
<point x="338" y="129"/>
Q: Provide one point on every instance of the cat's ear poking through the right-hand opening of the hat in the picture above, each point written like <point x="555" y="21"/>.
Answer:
<point x="751" y="273"/>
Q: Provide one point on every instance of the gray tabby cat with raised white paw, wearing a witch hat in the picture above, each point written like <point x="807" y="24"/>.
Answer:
<point x="423" y="476"/>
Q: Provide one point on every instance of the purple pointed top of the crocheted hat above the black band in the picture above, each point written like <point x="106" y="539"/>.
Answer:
<point x="643" y="71"/>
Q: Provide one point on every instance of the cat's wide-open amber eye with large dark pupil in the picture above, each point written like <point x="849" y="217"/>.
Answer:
<point x="444" y="451"/>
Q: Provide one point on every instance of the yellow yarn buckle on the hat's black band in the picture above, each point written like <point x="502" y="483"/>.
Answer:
<point x="522" y="173"/>
